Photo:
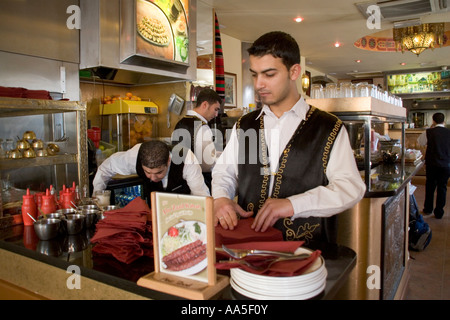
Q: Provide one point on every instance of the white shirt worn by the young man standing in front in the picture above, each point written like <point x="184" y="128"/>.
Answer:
<point x="345" y="188"/>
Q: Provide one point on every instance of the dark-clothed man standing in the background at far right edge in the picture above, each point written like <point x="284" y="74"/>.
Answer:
<point x="437" y="162"/>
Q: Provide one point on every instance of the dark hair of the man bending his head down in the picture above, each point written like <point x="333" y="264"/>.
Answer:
<point x="154" y="154"/>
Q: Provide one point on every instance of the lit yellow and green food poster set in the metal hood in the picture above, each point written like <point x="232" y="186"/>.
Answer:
<point x="162" y="29"/>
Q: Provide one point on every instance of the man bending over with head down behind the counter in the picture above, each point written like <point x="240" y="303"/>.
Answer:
<point x="160" y="170"/>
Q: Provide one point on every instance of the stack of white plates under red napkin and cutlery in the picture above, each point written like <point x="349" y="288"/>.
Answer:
<point x="260" y="287"/>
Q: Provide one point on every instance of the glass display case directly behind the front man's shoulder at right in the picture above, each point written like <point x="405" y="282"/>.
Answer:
<point x="367" y="121"/>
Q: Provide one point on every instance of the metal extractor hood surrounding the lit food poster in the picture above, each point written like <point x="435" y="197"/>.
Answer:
<point x="101" y="54"/>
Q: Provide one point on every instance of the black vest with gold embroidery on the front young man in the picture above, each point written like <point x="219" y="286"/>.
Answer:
<point x="302" y="166"/>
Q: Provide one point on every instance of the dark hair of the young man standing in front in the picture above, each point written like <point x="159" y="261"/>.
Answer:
<point x="280" y="45"/>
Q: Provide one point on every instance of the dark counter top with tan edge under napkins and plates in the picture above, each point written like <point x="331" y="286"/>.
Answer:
<point x="20" y="242"/>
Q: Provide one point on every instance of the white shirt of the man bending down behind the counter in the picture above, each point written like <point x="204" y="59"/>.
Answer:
<point x="124" y="163"/>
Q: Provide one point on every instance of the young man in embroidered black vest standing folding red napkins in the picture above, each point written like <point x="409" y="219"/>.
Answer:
<point x="302" y="170"/>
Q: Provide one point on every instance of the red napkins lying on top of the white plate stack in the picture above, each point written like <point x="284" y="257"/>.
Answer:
<point x="279" y="269"/>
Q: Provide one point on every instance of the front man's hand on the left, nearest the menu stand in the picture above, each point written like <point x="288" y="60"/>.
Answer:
<point x="226" y="213"/>
